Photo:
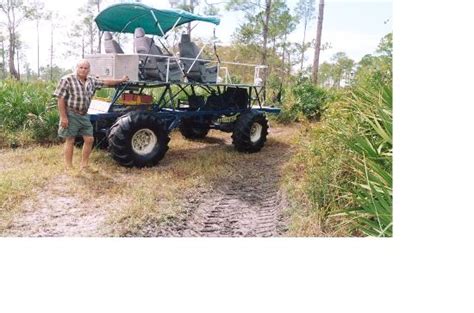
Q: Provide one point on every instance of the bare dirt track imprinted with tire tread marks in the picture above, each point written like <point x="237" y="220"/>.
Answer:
<point x="249" y="203"/>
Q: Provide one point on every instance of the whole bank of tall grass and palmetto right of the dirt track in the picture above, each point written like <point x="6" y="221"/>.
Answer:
<point x="341" y="178"/>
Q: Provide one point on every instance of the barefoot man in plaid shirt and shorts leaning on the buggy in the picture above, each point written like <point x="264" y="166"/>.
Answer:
<point x="74" y="93"/>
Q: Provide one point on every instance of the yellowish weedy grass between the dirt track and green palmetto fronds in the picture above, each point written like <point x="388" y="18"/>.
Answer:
<point x="319" y="176"/>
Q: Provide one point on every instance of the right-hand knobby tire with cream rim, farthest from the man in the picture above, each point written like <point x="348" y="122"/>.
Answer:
<point x="250" y="132"/>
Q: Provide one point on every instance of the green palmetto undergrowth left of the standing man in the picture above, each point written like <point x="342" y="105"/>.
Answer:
<point x="28" y="112"/>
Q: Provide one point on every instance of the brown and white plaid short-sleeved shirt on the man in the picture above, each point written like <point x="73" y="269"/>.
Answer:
<point x="77" y="94"/>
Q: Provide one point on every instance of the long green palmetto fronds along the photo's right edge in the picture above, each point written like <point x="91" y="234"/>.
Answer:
<point x="371" y="146"/>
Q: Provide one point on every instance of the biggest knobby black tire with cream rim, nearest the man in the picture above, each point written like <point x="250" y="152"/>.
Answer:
<point x="138" y="139"/>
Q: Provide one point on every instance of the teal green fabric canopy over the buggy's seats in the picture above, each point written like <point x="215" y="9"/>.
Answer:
<point x="125" y="17"/>
